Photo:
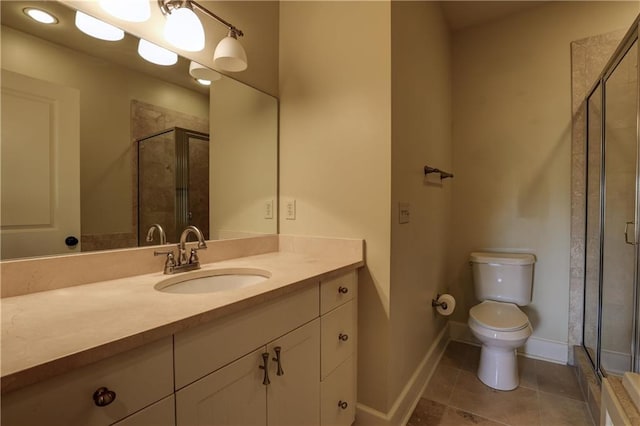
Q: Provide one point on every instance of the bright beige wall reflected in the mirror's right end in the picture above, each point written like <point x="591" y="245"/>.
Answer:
<point x="243" y="160"/>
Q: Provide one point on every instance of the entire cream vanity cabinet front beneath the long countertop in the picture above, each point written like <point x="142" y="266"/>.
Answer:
<point x="285" y="361"/>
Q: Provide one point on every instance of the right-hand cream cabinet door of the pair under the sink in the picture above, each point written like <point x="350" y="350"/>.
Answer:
<point x="294" y="397"/>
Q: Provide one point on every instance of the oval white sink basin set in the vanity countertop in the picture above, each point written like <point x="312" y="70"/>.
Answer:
<point x="212" y="280"/>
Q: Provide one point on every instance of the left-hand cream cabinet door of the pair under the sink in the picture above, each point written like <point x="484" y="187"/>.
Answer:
<point x="233" y="395"/>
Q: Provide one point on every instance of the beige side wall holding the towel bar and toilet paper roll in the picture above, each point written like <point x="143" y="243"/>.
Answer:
<point x="421" y="134"/>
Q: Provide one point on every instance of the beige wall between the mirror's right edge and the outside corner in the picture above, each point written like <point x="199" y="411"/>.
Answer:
<point x="335" y="147"/>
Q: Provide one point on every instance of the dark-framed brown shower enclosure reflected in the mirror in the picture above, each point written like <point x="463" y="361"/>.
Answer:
<point x="173" y="183"/>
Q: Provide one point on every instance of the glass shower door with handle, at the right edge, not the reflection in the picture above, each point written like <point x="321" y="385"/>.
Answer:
<point x="620" y="204"/>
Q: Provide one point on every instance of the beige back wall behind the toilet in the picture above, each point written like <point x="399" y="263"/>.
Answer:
<point x="512" y="127"/>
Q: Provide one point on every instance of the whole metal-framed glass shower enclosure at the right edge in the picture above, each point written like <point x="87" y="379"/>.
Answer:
<point x="611" y="332"/>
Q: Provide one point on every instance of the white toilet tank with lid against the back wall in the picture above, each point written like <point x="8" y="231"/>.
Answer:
<point x="503" y="277"/>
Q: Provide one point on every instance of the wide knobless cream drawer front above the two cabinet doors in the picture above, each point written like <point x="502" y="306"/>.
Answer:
<point x="207" y="348"/>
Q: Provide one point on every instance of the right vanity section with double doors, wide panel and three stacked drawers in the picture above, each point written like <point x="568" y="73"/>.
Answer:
<point x="220" y="375"/>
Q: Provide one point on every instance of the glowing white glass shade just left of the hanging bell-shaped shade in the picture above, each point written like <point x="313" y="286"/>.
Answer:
<point x="184" y="30"/>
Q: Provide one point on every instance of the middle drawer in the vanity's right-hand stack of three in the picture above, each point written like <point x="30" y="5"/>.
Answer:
<point x="337" y="337"/>
